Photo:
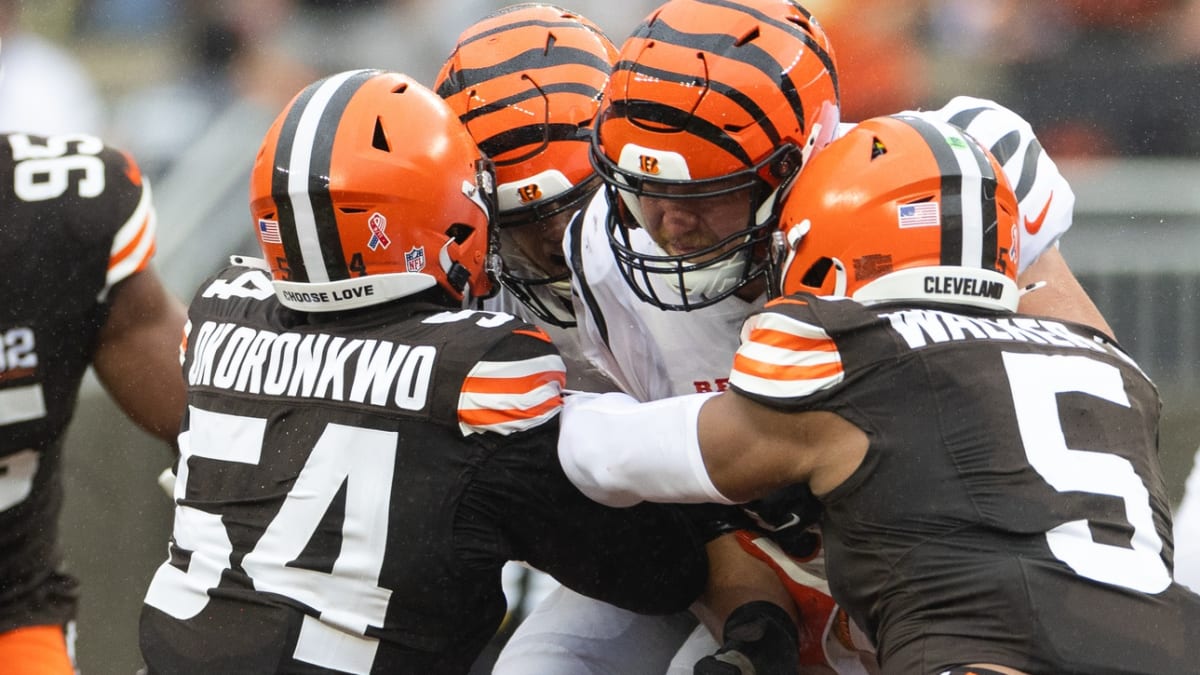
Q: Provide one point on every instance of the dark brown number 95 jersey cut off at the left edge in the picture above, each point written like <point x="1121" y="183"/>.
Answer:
<point x="77" y="222"/>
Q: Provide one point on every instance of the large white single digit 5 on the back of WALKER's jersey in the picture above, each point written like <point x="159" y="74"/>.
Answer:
<point x="1036" y="380"/>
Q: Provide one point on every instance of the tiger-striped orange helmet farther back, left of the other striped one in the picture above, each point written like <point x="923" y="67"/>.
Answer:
<point x="526" y="82"/>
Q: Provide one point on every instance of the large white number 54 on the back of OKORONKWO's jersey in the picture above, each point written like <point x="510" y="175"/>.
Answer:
<point x="350" y="598"/>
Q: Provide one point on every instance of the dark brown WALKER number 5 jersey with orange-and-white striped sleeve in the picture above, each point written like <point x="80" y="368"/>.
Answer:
<point x="1011" y="507"/>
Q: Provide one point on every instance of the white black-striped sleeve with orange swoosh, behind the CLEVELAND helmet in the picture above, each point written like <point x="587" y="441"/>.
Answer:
<point x="1046" y="201"/>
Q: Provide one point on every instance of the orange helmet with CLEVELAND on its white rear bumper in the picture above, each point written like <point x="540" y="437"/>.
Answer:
<point x="903" y="208"/>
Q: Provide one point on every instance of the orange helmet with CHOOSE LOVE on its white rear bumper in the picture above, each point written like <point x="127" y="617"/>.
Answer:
<point x="368" y="189"/>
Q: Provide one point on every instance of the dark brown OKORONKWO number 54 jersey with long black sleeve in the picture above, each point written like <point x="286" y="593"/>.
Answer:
<point x="350" y="489"/>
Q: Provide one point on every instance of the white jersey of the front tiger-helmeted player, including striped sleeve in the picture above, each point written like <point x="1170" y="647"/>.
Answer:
<point x="652" y="354"/>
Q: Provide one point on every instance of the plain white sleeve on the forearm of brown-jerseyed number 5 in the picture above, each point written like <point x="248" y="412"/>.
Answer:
<point x="620" y="452"/>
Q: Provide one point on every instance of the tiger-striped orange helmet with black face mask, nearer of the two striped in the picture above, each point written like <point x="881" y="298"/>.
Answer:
<point x="712" y="99"/>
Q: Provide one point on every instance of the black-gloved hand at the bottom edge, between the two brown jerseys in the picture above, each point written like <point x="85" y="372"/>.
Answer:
<point x="760" y="640"/>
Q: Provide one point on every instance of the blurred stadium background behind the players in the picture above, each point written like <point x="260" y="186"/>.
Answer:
<point x="189" y="87"/>
